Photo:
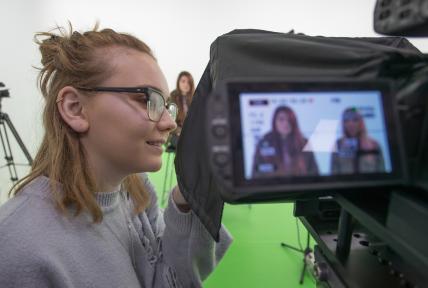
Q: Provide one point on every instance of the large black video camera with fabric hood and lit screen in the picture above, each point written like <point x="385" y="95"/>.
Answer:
<point x="338" y="126"/>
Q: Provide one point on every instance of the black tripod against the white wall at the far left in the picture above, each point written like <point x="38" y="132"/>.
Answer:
<point x="5" y="123"/>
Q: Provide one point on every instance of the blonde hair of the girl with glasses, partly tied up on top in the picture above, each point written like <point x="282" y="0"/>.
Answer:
<point x="73" y="59"/>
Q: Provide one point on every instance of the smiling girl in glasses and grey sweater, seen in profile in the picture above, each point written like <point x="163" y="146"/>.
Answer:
<point x="87" y="215"/>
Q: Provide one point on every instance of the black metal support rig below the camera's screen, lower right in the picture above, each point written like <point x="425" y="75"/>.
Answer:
<point x="375" y="239"/>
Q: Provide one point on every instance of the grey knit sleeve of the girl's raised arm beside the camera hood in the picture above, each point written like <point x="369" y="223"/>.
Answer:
<point x="189" y="254"/>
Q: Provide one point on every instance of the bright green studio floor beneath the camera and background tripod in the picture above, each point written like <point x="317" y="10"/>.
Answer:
<point x="255" y="258"/>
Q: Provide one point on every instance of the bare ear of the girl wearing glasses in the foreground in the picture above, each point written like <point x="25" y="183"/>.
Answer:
<point x="70" y="103"/>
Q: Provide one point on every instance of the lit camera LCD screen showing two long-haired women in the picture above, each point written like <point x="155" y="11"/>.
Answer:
<point x="314" y="133"/>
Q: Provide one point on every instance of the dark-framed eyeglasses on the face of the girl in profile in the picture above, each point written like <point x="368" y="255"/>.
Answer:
<point x="155" y="100"/>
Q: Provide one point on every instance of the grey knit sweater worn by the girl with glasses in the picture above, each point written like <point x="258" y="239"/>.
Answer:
<point x="41" y="247"/>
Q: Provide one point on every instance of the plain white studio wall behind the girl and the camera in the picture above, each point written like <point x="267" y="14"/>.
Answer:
<point x="179" y="32"/>
